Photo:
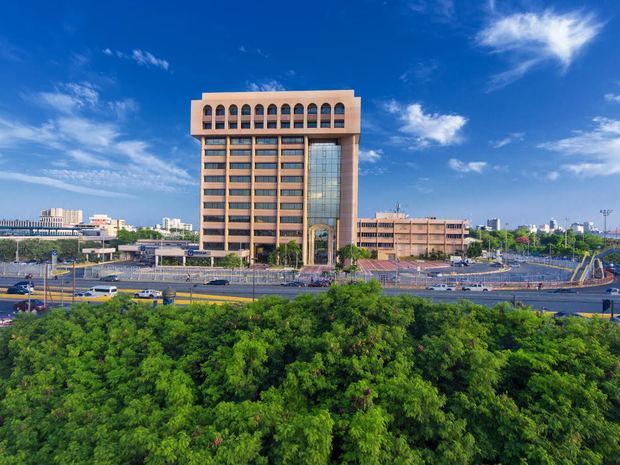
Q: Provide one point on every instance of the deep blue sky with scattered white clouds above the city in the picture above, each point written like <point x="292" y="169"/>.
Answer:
<point x="471" y="109"/>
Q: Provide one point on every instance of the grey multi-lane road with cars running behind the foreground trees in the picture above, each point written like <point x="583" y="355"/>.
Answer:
<point x="585" y="300"/>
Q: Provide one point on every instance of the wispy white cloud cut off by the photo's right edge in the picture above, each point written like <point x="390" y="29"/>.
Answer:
<point x="598" y="150"/>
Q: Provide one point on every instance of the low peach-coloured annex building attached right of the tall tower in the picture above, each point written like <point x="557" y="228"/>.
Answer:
<point x="394" y="235"/>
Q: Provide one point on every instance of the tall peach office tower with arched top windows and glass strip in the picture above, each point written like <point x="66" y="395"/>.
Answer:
<point x="277" y="167"/>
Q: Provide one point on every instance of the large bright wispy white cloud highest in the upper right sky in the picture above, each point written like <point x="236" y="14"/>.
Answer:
<point x="530" y="39"/>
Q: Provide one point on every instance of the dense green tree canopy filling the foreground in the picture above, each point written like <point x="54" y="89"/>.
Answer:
<point x="343" y="377"/>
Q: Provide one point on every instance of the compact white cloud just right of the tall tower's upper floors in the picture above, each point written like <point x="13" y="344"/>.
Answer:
<point x="428" y="128"/>
